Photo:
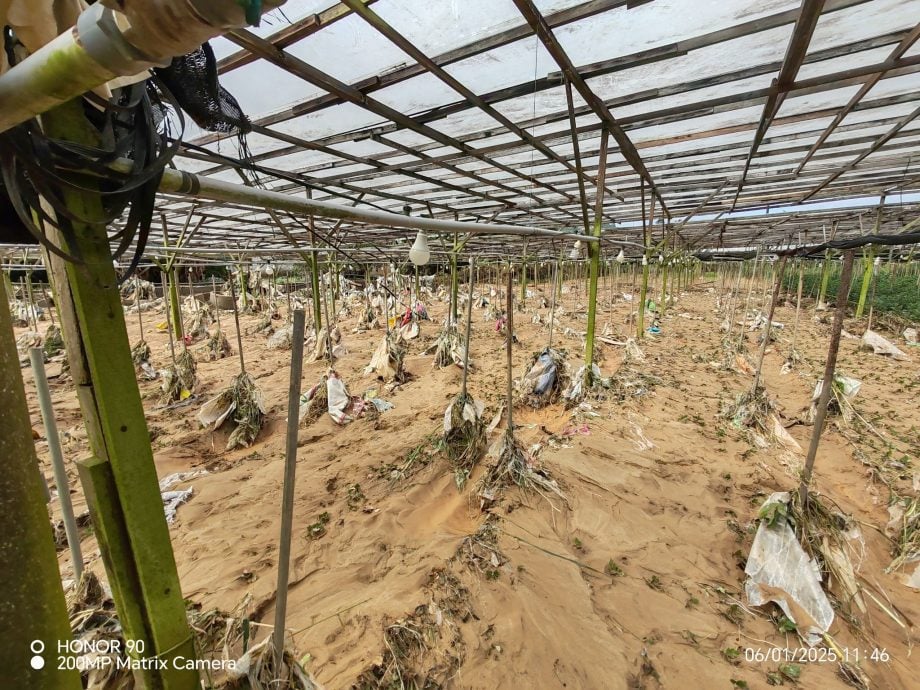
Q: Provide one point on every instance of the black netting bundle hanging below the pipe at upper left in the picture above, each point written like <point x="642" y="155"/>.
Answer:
<point x="192" y="79"/>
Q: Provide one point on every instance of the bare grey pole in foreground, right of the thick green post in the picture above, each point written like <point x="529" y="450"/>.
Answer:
<point x="287" y="493"/>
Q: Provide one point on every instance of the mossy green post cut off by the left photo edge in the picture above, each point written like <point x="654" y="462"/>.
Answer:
<point x="33" y="615"/>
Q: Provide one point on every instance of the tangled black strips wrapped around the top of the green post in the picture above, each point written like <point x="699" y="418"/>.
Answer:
<point x="40" y="171"/>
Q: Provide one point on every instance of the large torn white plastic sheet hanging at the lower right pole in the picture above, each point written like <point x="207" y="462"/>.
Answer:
<point x="780" y="571"/>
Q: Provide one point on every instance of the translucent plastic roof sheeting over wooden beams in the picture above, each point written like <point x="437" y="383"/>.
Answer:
<point x="464" y="109"/>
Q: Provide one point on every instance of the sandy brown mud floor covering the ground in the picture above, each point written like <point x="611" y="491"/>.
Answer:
<point x="634" y="580"/>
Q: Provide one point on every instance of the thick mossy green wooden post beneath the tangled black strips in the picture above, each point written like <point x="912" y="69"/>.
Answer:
<point x="141" y="569"/>
